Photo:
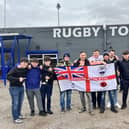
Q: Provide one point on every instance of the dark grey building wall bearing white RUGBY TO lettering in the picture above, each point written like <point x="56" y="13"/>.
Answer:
<point x="73" y="39"/>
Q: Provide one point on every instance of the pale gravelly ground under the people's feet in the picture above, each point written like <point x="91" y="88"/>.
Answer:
<point x="68" y="120"/>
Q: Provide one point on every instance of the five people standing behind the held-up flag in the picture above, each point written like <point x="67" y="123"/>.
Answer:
<point x="95" y="99"/>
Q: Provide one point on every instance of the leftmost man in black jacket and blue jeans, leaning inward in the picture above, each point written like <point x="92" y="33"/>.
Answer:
<point x="16" y="78"/>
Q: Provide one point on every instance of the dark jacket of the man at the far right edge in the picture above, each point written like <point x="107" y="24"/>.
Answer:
<point x="123" y="67"/>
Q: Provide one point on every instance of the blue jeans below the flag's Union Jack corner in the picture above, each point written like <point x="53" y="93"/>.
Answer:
<point x="68" y="99"/>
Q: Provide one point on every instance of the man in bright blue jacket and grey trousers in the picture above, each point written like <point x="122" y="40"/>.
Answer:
<point x="33" y="87"/>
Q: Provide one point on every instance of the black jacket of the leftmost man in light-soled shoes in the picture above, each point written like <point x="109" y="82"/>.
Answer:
<point x="14" y="75"/>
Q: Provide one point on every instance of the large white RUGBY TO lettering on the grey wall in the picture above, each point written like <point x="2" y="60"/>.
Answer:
<point x="78" y="32"/>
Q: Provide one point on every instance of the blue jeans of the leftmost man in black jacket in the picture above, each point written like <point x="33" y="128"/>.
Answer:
<point x="17" y="96"/>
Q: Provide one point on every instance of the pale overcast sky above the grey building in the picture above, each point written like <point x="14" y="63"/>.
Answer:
<point x="34" y="13"/>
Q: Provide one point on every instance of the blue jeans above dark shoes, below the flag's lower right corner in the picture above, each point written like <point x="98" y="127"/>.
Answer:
<point x="110" y="93"/>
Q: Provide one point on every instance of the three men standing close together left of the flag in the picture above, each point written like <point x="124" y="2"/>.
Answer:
<point x="38" y="80"/>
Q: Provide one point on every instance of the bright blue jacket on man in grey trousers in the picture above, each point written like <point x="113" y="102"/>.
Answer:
<point x="33" y="78"/>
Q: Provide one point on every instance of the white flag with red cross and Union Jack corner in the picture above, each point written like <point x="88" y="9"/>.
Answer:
<point x="87" y="78"/>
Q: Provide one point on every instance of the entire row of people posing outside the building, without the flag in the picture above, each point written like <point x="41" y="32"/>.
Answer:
<point x="38" y="80"/>
